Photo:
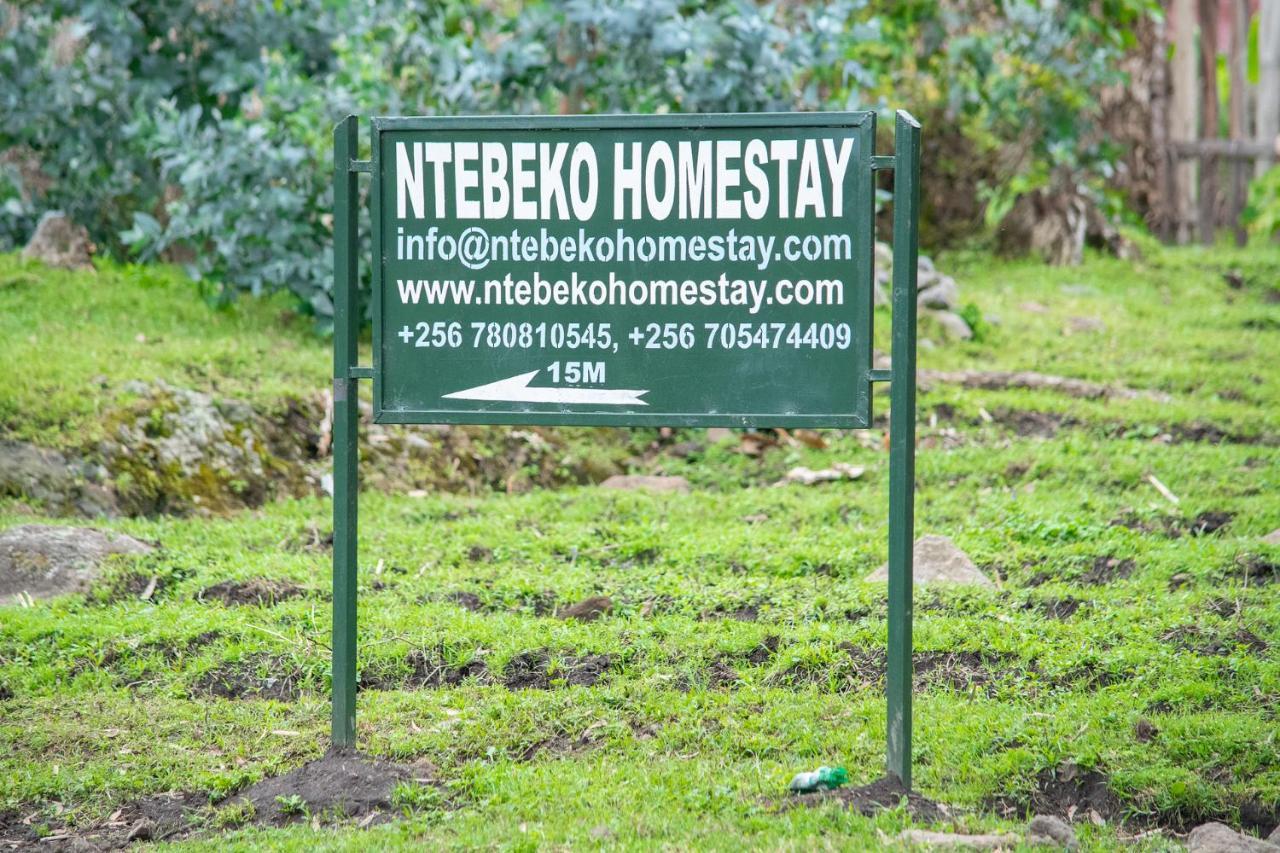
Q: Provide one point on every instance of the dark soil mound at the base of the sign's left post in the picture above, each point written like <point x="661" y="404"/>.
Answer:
<point x="341" y="784"/>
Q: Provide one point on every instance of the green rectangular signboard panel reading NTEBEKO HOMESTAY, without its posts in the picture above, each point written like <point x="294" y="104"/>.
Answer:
<point x="668" y="271"/>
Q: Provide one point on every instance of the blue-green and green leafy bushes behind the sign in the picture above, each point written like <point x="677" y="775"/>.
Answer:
<point x="198" y="131"/>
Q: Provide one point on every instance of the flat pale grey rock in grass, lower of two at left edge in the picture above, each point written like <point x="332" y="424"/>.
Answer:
<point x="45" y="562"/>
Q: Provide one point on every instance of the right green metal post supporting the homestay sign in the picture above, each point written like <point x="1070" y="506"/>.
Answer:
<point x="902" y="437"/>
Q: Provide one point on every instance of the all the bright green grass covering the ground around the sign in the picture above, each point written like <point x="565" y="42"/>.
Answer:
<point x="111" y="695"/>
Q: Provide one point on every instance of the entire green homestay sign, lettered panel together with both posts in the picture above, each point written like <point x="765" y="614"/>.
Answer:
<point x="696" y="373"/>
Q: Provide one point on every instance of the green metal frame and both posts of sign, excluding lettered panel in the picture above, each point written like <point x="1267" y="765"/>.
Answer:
<point x="906" y="166"/>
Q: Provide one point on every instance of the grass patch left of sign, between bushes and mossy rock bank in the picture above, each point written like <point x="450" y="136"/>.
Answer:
<point x="74" y="340"/>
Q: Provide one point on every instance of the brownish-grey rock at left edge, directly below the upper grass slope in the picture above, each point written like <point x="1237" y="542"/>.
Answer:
<point x="65" y="486"/>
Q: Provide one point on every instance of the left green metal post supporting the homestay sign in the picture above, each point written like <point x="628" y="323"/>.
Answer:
<point x="346" y="432"/>
